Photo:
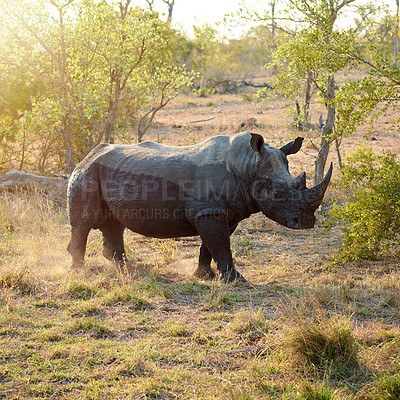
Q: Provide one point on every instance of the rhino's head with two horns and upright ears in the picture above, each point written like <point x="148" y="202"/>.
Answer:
<point x="280" y="196"/>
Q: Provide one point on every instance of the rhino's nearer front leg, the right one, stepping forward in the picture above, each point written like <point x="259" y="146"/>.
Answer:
<point x="215" y="234"/>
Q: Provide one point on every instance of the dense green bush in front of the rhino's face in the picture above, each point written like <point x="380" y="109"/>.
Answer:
<point x="370" y="206"/>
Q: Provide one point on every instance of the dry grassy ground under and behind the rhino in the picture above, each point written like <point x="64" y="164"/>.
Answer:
<point x="301" y="328"/>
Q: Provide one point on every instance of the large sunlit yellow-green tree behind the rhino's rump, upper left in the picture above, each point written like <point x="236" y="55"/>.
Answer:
<point x="95" y="59"/>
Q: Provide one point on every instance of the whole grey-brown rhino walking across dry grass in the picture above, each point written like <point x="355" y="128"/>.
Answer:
<point x="201" y="190"/>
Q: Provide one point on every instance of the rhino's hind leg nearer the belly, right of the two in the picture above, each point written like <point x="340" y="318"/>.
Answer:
<point x="113" y="241"/>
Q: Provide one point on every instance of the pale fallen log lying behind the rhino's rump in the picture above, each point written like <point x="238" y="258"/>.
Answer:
<point x="20" y="180"/>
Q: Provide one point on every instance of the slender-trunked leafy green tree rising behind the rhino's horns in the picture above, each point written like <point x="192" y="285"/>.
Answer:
<point x="314" y="57"/>
